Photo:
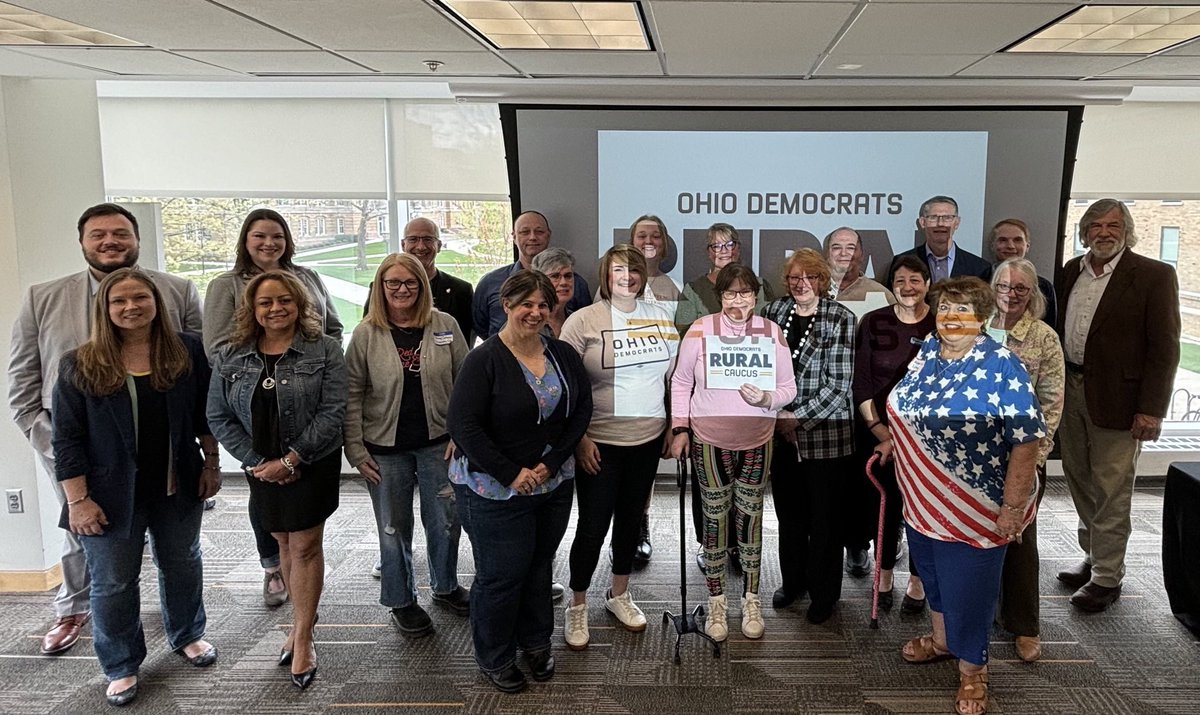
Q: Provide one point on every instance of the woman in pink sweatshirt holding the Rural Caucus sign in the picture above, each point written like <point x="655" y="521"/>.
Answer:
<point x="734" y="375"/>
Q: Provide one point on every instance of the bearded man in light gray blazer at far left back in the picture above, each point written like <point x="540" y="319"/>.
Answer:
<point x="56" y="319"/>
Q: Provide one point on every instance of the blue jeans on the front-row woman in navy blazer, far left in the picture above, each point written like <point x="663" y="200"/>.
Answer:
<point x="116" y="567"/>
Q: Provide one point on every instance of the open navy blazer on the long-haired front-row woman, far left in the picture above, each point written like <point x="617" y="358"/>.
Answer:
<point x="94" y="437"/>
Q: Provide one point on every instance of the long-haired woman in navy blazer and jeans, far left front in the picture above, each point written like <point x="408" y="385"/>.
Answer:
<point x="129" y="414"/>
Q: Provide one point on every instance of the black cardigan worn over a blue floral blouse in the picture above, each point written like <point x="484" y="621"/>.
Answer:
<point x="495" y="419"/>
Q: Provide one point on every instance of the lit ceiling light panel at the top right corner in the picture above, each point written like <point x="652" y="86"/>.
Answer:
<point x="1117" y="29"/>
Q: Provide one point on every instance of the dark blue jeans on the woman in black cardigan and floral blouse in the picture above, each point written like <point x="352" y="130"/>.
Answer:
<point x="514" y="544"/>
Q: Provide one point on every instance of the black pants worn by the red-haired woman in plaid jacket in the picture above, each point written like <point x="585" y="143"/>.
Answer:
<point x="809" y="497"/>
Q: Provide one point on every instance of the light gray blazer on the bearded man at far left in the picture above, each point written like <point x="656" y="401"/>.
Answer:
<point x="53" y="321"/>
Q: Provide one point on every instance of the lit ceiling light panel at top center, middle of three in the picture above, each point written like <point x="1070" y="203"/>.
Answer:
<point x="553" y="25"/>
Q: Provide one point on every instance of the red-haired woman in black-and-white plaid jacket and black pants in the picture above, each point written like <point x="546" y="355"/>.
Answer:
<point x="814" y="436"/>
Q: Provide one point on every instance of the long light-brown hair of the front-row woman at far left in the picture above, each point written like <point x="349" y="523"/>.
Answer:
<point x="100" y="369"/>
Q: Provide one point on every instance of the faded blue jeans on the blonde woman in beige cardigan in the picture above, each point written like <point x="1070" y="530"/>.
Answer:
<point x="393" y="502"/>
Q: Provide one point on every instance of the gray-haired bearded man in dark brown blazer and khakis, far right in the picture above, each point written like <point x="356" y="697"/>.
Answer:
<point x="1120" y="331"/>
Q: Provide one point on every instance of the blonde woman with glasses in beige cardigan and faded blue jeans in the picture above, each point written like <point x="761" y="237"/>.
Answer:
<point x="401" y="366"/>
